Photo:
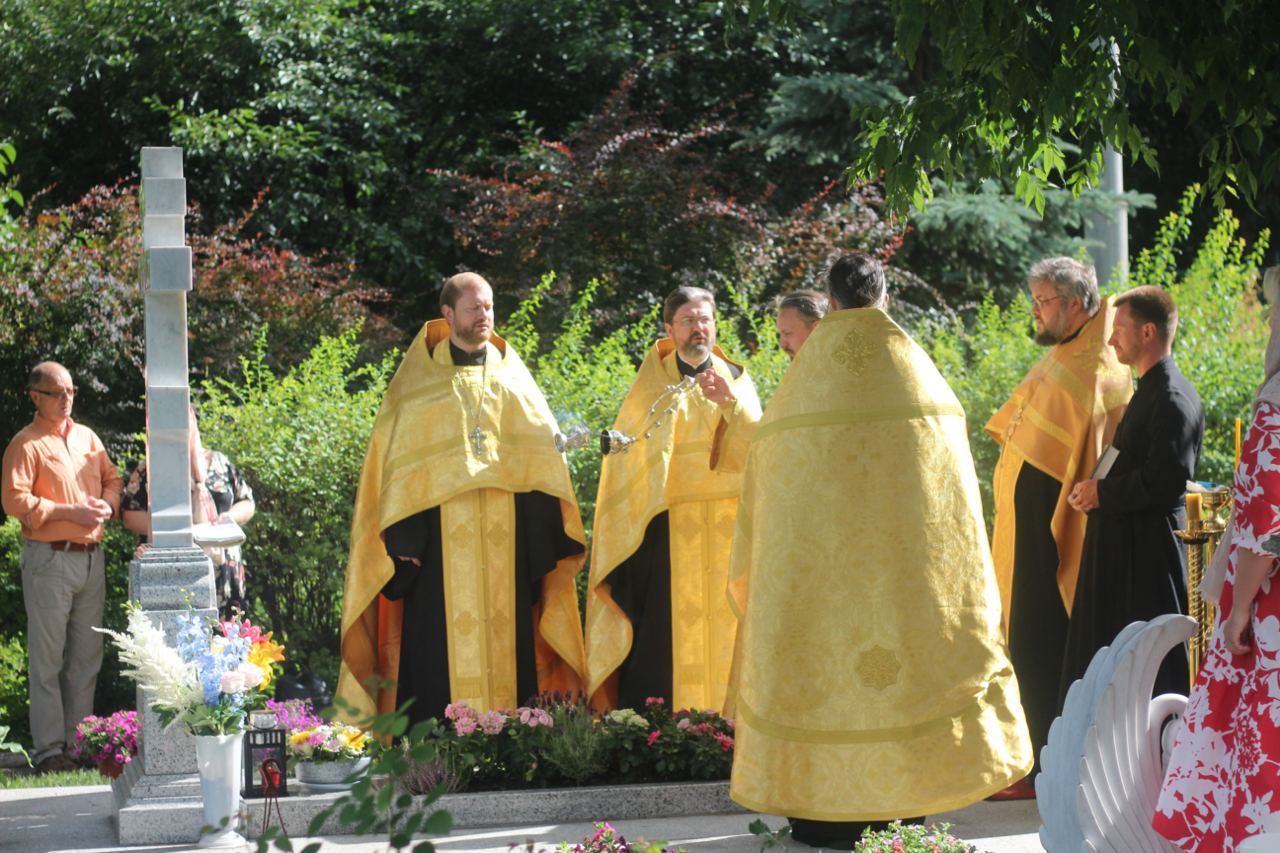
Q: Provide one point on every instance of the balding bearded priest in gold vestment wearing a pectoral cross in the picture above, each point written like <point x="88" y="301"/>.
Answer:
<point x="467" y="535"/>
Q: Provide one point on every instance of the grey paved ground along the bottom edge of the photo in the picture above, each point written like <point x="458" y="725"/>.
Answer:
<point x="62" y="820"/>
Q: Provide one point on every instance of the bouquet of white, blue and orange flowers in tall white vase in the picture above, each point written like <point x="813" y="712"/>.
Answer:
<point x="211" y="682"/>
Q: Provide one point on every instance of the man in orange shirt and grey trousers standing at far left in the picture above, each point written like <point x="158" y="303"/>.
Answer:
<point x="62" y="487"/>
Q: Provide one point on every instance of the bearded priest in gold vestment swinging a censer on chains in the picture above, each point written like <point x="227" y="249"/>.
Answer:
<point x="657" y="619"/>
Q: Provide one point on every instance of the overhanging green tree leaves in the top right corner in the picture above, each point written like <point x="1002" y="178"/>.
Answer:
<point x="1032" y="93"/>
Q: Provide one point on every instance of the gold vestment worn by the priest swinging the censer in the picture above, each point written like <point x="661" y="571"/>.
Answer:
<point x="673" y="472"/>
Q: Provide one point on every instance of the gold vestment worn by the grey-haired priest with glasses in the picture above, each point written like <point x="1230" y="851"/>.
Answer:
<point x="1059" y="419"/>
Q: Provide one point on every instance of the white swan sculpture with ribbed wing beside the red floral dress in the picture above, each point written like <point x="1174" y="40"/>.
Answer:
<point x="1104" y="764"/>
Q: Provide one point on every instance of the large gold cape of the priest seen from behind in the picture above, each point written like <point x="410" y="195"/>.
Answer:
<point x="872" y="678"/>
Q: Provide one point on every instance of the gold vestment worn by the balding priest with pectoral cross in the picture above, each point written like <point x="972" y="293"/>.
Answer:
<point x="420" y="457"/>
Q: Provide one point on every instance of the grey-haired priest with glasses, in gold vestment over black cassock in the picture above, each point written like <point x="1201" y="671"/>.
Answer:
<point x="1052" y="432"/>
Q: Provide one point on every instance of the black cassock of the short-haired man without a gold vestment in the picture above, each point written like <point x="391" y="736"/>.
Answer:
<point x="1133" y="568"/>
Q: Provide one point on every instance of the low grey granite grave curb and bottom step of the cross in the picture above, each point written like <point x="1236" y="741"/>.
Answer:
<point x="170" y="810"/>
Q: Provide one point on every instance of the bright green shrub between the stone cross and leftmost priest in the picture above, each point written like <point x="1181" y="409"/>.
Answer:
<point x="300" y="441"/>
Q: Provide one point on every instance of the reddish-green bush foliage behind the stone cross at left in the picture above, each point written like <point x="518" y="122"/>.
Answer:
<point x="70" y="293"/>
